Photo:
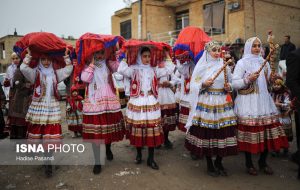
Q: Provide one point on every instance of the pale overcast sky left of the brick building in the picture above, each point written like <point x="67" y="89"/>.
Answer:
<point x="61" y="17"/>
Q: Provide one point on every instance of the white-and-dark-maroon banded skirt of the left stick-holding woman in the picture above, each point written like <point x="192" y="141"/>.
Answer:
<point x="213" y="130"/>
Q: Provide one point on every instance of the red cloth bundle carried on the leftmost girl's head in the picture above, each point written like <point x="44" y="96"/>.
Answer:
<point x="44" y="44"/>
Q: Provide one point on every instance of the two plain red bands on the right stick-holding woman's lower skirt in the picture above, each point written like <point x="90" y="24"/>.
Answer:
<point x="274" y="144"/>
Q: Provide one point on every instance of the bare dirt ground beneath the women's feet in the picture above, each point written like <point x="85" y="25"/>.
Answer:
<point x="177" y="171"/>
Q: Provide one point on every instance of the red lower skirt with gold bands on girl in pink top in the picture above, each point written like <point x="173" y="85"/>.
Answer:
<point x="105" y="126"/>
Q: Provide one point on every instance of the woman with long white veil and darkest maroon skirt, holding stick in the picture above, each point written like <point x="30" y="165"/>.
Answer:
<point x="211" y="123"/>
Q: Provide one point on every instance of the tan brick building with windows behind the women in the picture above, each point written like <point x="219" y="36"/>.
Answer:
<point x="228" y="21"/>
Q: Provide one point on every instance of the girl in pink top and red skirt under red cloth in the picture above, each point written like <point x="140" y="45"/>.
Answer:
<point x="102" y="116"/>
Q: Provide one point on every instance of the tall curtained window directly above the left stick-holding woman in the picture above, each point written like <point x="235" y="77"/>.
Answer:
<point x="214" y="18"/>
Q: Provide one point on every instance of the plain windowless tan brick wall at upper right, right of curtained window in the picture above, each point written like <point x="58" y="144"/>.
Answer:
<point x="283" y="17"/>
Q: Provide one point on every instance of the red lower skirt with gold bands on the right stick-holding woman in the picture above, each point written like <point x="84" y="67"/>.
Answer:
<point x="256" y="139"/>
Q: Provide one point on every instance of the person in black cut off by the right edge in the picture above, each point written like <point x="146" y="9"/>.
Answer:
<point x="293" y="82"/>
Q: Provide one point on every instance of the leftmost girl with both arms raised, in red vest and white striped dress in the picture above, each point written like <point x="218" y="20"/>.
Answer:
<point x="44" y="115"/>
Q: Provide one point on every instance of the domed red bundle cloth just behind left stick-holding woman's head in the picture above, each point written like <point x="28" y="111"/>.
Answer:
<point x="193" y="37"/>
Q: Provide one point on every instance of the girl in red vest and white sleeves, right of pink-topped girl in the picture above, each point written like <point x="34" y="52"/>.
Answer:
<point x="143" y="116"/>
